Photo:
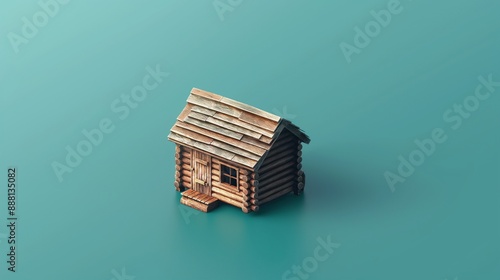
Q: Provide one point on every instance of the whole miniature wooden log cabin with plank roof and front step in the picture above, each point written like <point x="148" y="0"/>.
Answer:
<point x="227" y="151"/>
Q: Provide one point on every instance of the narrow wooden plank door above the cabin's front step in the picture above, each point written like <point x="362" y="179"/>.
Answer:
<point x="201" y="181"/>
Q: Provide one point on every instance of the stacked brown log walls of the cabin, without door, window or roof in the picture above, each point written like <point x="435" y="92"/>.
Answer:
<point x="280" y="174"/>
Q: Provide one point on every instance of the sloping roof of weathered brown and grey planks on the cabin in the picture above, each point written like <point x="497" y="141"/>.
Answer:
<point x="229" y="129"/>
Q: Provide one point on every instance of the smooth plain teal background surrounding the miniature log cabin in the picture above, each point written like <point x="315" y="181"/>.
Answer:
<point x="118" y="208"/>
